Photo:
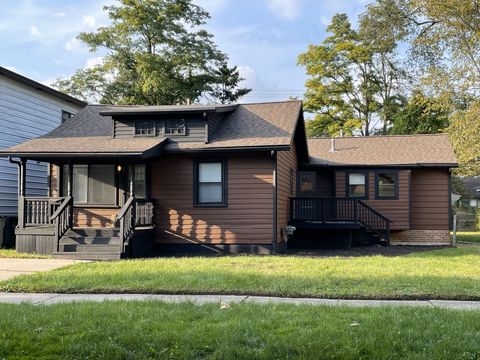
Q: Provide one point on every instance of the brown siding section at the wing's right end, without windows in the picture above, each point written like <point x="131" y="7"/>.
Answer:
<point x="430" y="199"/>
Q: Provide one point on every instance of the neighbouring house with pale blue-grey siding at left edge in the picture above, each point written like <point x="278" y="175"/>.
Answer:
<point x="27" y="109"/>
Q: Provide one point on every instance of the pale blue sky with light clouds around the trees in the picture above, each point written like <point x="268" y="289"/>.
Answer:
<point x="262" y="37"/>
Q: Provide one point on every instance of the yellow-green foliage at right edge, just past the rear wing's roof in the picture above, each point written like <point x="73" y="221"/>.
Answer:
<point x="464" y="129"/>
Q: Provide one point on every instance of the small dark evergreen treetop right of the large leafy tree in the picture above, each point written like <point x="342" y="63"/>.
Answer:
<point x="226" y="88"/>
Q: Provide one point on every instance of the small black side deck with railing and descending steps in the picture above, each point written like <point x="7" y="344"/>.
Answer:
<point x="335" y="213"/>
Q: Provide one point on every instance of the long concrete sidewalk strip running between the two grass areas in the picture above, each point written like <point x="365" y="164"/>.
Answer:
<point x="48" y="299"/>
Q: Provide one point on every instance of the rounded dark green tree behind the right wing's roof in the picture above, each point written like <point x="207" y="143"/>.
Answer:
<point x="421" y="115"/>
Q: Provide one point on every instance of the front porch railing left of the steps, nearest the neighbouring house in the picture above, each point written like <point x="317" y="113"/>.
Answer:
<point x="36" y="211"/>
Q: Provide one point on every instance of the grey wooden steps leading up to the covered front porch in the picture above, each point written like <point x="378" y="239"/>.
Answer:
<point x="90" y="244"/>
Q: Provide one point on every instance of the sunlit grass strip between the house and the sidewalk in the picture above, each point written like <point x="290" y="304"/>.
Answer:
<point x="451" y="273"/>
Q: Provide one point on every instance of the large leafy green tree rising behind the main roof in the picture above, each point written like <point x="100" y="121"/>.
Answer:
<point x="156" y="53"/>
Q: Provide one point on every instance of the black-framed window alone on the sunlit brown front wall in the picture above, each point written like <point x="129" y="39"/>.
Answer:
<point x="210" y="184"/>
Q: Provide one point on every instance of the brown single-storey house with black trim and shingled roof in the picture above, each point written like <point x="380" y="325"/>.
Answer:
<point x="226" y="178"/>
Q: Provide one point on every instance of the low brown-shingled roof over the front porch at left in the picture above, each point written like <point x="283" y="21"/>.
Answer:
<point x="93" y="146"/>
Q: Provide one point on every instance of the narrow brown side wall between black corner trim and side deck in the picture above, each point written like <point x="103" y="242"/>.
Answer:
<point x="286" y="186"/>
